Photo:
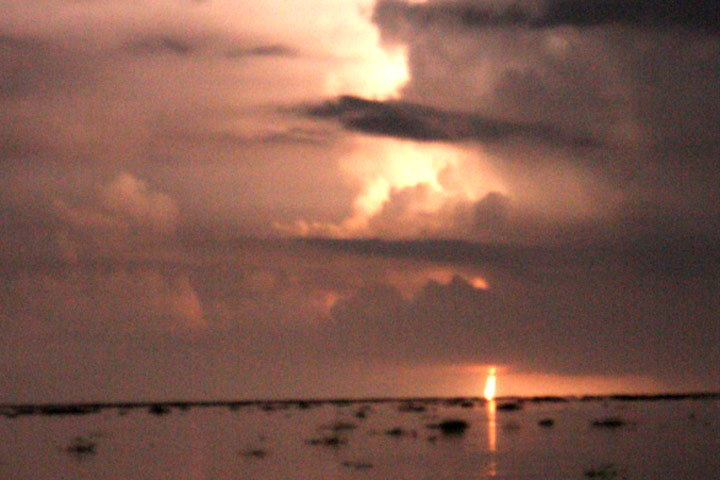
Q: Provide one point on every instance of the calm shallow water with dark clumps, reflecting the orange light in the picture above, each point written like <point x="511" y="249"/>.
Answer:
<point x="656" y="440"/>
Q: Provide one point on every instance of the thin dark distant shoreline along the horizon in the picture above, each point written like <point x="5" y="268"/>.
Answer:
<point x="80" y="408"/>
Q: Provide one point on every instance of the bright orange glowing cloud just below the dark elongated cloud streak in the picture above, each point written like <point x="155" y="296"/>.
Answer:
<point x="408" y="188"/>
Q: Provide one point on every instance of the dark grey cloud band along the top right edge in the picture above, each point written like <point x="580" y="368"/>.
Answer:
<point x="702" y="15"/>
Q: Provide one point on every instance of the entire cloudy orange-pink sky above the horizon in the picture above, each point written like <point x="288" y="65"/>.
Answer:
<point x="229" y="199"/>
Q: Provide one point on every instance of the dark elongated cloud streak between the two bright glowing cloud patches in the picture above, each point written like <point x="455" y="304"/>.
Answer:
<point x="418" y="122"/>
